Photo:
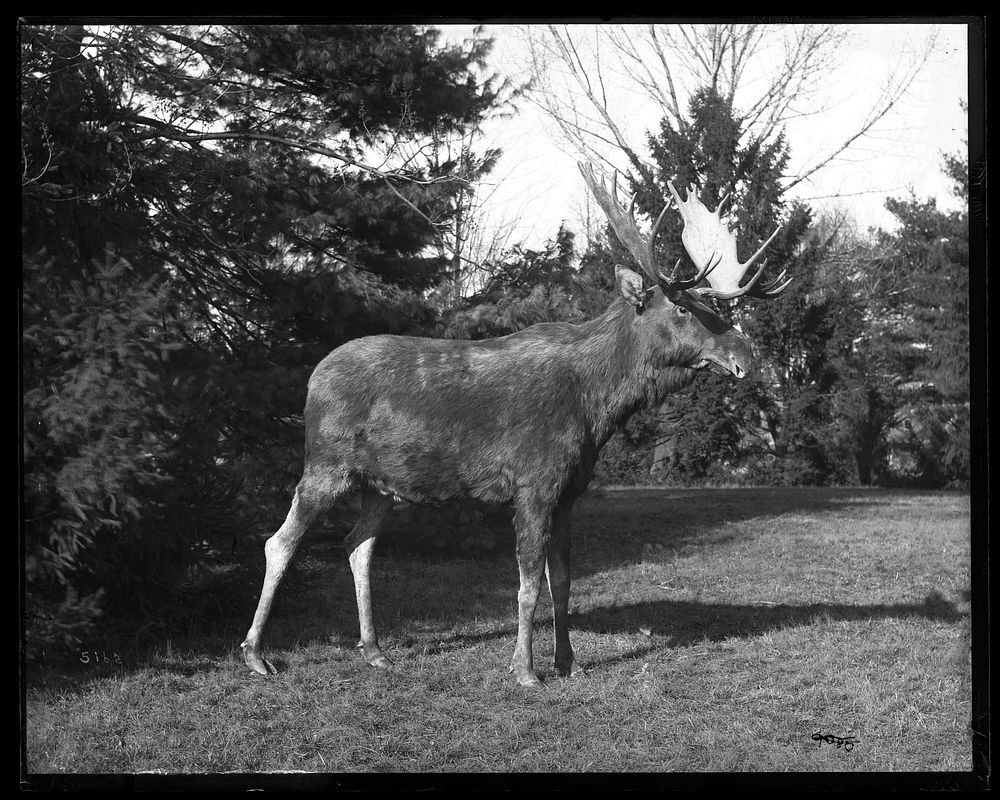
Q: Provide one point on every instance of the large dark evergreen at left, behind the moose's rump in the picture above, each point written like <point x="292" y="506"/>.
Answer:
<point x="207" y="211"/>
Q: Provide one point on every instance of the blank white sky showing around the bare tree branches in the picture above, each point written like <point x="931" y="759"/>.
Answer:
<point x="538" y="182"/>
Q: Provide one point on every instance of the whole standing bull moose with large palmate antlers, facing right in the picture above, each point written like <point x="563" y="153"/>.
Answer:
<point x="518" y="419"/>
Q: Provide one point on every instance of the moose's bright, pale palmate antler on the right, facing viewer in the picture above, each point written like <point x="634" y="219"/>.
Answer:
<point x="706" y="236"/>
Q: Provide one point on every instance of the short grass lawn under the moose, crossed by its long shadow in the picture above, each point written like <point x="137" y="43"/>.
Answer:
<point x="720" y="630"/>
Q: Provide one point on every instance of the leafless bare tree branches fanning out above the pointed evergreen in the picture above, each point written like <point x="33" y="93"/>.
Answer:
<point x="769" y="74"/>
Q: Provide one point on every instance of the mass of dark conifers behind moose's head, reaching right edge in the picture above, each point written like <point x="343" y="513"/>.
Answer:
<point x="862" y="361"/>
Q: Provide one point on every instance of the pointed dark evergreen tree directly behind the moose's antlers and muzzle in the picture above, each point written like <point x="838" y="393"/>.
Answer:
<point x="777" y="426"/>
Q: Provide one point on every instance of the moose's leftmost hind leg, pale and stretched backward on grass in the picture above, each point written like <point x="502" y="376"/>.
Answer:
<point x="312" y="497"/>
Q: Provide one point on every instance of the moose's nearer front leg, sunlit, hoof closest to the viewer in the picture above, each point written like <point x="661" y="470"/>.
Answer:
<point x="532" y="525"/>
